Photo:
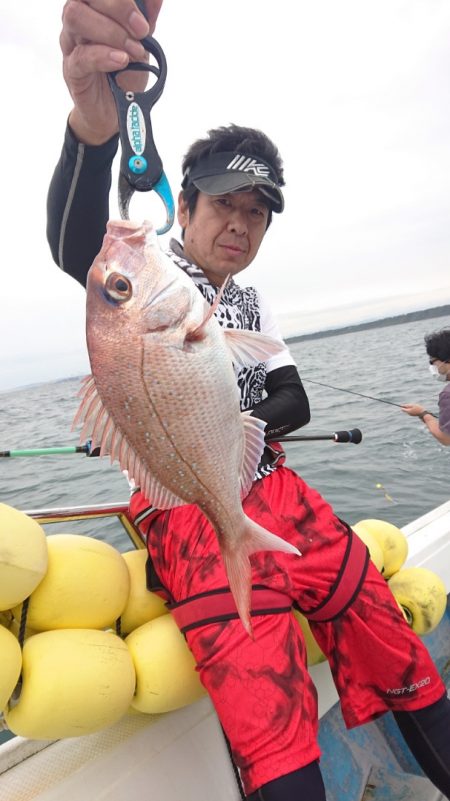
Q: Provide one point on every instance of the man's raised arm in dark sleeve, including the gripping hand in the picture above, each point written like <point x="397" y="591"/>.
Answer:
<point x="94" y="41"/>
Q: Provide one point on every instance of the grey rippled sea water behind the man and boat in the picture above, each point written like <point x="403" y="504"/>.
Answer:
<point x="397" y="473"/>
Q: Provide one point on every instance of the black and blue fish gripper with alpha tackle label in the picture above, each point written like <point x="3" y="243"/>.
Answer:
<point x="141" y="168"/>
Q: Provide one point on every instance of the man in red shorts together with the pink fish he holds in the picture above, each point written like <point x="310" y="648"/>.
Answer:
<point x="181" y="358"/>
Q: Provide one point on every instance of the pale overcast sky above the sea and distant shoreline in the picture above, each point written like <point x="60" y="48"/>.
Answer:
<point x="356" y="94"/>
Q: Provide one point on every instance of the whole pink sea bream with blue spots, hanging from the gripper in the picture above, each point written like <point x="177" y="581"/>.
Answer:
<point x="163" y="398"/>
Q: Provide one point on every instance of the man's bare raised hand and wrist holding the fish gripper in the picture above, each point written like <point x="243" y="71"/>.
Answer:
<point x="99" y="36"/>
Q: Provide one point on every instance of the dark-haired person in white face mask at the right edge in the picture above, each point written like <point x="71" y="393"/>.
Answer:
<point x="438" y="350"/>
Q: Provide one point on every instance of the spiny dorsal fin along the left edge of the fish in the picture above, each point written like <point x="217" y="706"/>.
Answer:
<point x="99" y="425"/>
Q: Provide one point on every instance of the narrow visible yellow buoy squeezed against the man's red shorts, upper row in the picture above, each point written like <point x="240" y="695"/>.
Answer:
<point x="142" y="605"/>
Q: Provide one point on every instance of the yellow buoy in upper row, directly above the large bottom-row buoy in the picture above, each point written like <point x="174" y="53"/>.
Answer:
<point x="86" y="585"/>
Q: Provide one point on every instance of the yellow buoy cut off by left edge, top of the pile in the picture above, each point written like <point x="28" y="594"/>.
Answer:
<point x="23" y="556"/>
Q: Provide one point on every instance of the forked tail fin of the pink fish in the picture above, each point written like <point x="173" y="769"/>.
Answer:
<point x="238" y="568"/>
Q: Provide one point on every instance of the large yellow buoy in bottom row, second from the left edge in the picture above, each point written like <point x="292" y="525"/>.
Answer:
<point x="74" y="682"/>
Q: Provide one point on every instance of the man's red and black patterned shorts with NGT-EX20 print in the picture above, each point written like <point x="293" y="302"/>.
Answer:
<point x="261" y="688"/>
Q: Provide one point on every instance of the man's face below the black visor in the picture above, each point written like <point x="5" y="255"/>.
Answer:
<point x="224" y="233"/>
